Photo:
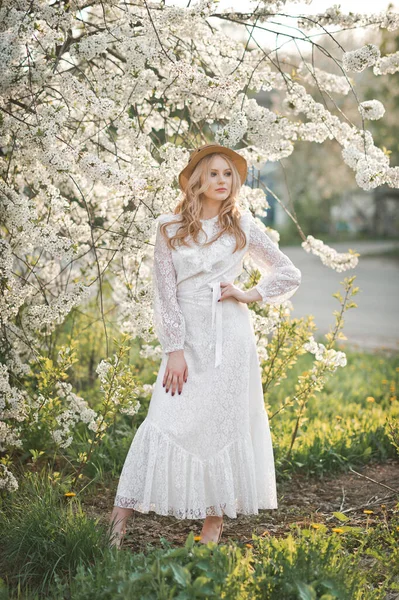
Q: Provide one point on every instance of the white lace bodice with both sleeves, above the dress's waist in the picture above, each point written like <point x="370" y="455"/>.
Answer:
<point x="191" y="268"/>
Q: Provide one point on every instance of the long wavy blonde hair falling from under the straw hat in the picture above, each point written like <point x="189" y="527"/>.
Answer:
<point x="189" y="208"/>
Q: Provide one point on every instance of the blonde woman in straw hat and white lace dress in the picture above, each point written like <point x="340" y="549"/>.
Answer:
<point x="204" y="448"/>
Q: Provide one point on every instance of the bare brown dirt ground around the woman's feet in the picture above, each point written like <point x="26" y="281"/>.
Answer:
<point x="301" y="500"/>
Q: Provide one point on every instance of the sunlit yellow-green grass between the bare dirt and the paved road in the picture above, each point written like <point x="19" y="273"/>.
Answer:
<point x="345" y="424"/>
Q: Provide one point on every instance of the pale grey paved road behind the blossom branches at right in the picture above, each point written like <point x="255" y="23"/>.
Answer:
<point x="375" y="323"/>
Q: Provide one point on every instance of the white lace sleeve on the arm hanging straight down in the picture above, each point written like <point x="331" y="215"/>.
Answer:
<point x="168" y="318"/>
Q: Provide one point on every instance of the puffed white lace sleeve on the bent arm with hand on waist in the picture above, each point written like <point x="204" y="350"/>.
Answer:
<point x="280" y="278"/>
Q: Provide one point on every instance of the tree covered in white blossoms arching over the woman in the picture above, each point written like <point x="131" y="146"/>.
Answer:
<point x="100" y="104"/>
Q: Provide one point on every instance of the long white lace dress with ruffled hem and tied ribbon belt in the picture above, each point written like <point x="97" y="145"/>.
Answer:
<point x="207" y="451"/>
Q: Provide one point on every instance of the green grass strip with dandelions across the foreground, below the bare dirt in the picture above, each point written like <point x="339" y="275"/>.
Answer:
<point x="51" y="551"/>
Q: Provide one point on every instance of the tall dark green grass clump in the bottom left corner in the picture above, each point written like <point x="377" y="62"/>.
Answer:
<point x="43" y="534"/>
